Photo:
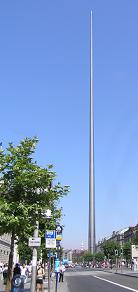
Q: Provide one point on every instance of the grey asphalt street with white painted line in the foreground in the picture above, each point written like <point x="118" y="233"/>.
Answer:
<point x="98" y="281"/>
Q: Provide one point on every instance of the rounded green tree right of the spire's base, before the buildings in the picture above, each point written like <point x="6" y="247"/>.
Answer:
<point x="109" y="248"/>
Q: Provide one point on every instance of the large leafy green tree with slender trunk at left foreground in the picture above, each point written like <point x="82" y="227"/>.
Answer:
<point x="25" y="192"/>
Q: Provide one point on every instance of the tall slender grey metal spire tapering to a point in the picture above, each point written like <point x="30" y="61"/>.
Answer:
<point x="91" y="236"/>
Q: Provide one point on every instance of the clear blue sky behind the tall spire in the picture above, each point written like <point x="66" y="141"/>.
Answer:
<point x="44" y="91"/>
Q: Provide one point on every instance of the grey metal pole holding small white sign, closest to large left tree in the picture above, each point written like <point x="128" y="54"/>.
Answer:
<point x="34" y="261"/>
